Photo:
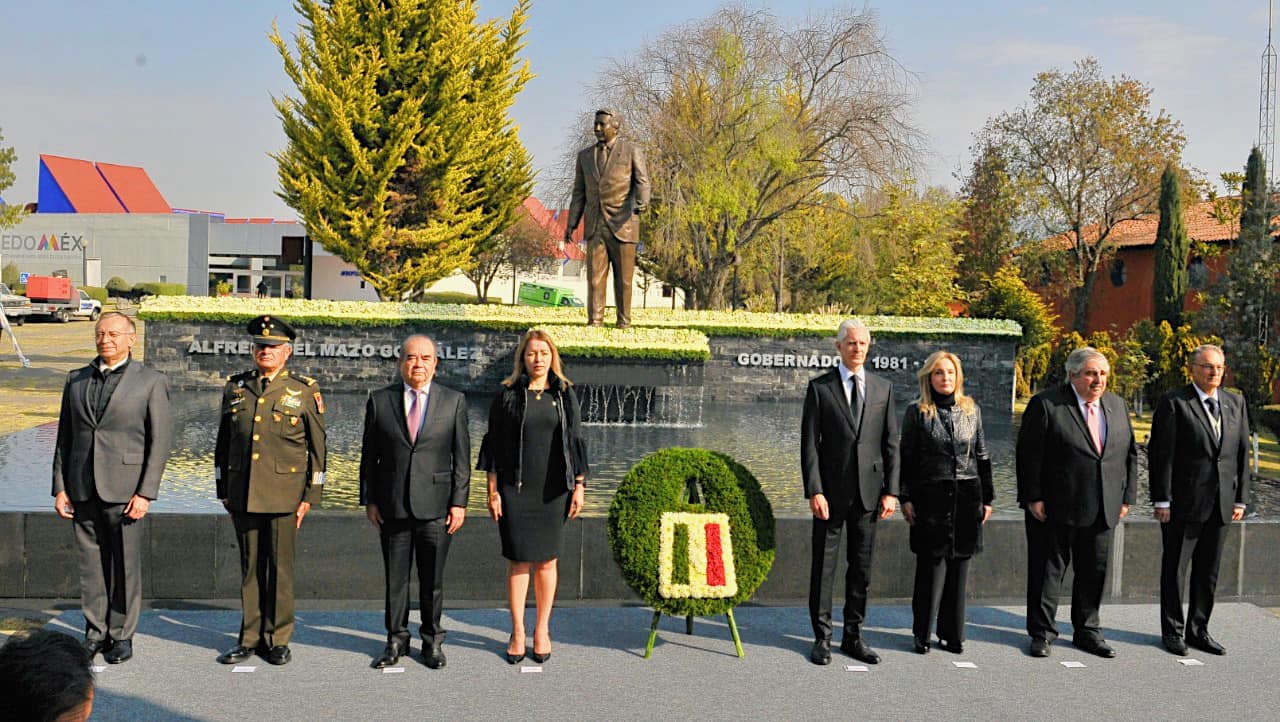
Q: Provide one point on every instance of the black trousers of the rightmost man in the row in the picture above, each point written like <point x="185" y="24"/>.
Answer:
<point x="1200" y="546"/>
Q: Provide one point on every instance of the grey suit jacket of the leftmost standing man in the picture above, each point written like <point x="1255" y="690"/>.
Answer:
<point x="122" y="454"/>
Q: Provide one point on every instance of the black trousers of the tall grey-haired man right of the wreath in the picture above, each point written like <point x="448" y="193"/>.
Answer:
<point x="822" y="572"/>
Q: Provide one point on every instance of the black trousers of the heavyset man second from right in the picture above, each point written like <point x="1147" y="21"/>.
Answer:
<point x="1052" y="549"/>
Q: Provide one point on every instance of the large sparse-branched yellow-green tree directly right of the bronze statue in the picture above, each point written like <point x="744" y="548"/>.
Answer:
<point x="746" y="121"/>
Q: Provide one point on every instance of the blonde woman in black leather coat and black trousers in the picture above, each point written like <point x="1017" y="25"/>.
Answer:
<point x="947" y="497"/>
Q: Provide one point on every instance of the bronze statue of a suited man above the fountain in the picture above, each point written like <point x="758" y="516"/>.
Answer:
<point x="611" y="189"/>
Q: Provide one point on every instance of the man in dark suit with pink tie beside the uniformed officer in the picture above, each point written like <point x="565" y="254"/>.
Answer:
<point x="414" y="482"/>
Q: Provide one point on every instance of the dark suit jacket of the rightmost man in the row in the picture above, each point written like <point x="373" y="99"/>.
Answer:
<point x="1192" y="470"/>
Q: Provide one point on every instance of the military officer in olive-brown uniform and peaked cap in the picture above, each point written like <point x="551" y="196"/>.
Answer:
<point x="269" y="459"/>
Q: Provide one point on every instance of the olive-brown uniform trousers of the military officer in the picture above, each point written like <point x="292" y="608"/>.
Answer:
<point x="267" y="543"/>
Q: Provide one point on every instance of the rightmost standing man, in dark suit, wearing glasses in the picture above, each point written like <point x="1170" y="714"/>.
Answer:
<point x="1200" y="485"/>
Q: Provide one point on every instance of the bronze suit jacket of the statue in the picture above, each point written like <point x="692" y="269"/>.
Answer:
<point x="612" y="195"/>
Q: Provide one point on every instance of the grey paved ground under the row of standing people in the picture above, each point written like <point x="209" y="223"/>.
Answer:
<point x="597" y="671"/>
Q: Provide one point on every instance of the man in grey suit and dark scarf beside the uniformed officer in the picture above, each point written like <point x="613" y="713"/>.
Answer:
<point x="113" y="445"/>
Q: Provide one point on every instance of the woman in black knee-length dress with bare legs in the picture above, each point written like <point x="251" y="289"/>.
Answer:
<point x="536" y="461"/>
